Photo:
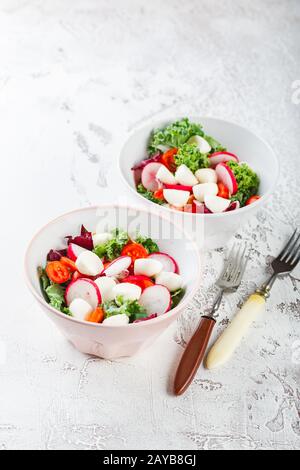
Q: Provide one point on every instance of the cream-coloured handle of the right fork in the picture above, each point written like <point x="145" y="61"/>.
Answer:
<point x="231" y="337"/>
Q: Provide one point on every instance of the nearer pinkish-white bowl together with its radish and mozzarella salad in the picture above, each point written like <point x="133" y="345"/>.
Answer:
<point x="112" y="278"/>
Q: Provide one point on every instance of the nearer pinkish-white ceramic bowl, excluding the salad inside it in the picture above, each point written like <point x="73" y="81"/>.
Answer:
<point x="114" y="341"/>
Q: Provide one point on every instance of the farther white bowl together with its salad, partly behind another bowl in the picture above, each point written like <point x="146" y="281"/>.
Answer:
<point x="208" y="174"/>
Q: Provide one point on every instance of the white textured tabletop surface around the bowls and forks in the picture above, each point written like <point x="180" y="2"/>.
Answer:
<point x="75" y="77"/>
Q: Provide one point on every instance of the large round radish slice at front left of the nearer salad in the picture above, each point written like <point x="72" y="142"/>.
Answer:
<point x="85" y="289"/>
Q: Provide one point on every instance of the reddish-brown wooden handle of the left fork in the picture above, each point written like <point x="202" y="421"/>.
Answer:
<point x="193" y="355"/>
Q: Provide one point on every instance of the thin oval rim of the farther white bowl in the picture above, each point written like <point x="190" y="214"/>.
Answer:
<point x="257" y="203"/>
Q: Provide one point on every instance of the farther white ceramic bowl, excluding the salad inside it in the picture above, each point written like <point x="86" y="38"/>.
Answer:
<point x="209" y="230"/>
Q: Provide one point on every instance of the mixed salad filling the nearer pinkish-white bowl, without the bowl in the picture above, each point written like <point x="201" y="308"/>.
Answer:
<point x="111" y="278"/>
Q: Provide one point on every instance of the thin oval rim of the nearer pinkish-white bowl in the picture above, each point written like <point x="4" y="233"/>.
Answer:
<point x="182" y="304"/>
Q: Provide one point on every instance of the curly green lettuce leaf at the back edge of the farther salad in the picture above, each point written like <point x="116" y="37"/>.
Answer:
<point x="174" y="135"/>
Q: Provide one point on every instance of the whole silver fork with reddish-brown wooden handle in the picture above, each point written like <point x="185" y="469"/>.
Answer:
<point x="192" y="357"/>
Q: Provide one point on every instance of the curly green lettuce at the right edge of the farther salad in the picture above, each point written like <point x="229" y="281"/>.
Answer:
<point x="247" y="180"/>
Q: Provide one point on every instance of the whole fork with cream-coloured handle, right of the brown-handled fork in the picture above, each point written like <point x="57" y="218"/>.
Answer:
<point x="230" y="339"/>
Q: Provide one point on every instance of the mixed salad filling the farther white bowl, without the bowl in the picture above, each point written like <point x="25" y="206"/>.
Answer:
<point x="190" y="171"/>
